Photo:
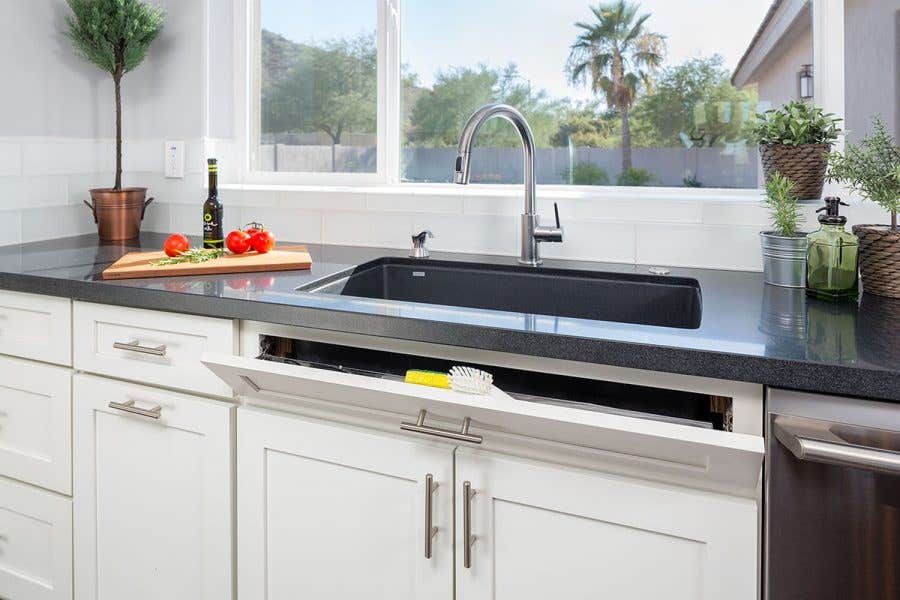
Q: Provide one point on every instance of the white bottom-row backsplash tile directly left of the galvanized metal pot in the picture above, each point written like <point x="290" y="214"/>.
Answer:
<point x="712" y="246"/>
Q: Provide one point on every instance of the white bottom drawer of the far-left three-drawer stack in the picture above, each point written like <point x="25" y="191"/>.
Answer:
<point x="35" y="543"/>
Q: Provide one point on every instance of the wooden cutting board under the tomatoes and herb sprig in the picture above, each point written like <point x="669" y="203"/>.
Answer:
<point x="136" y="265"/>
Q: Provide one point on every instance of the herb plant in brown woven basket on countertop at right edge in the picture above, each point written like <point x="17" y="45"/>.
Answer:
<point x="872" y="169"/>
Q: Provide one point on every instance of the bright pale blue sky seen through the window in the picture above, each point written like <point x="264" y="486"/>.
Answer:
<point x="534" y="34"/>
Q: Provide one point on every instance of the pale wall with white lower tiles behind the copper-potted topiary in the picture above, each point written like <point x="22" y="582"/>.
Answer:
<point x="57" y="119"/>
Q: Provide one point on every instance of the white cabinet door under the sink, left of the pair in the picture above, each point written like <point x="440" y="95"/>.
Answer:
<point x="329" y="511"/>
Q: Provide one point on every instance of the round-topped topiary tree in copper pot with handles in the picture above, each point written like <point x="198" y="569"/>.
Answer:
<point x="115" y="35"/>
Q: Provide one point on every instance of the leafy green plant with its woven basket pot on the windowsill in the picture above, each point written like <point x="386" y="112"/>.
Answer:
<point x="794" y="140"/>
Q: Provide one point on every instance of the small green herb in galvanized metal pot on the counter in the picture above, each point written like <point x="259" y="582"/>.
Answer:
<point x="784" y="246"/>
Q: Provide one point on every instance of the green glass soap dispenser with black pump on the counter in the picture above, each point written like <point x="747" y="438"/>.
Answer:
<point x="832" y="254"/>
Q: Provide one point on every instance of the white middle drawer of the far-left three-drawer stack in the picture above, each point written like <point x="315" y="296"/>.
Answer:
<point x="35" y="423"/>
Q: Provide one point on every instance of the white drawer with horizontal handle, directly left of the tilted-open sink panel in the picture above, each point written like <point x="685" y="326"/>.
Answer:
<point x="152" y="347"/>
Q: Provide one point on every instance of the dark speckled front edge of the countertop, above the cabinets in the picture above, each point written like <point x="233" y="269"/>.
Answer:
<point x="776" y="372"/>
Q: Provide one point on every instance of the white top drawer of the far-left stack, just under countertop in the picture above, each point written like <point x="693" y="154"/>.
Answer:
<point x="35" y="326"/>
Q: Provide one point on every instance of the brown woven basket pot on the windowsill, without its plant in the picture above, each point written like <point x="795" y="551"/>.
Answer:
<point x="804" y="165"/>
